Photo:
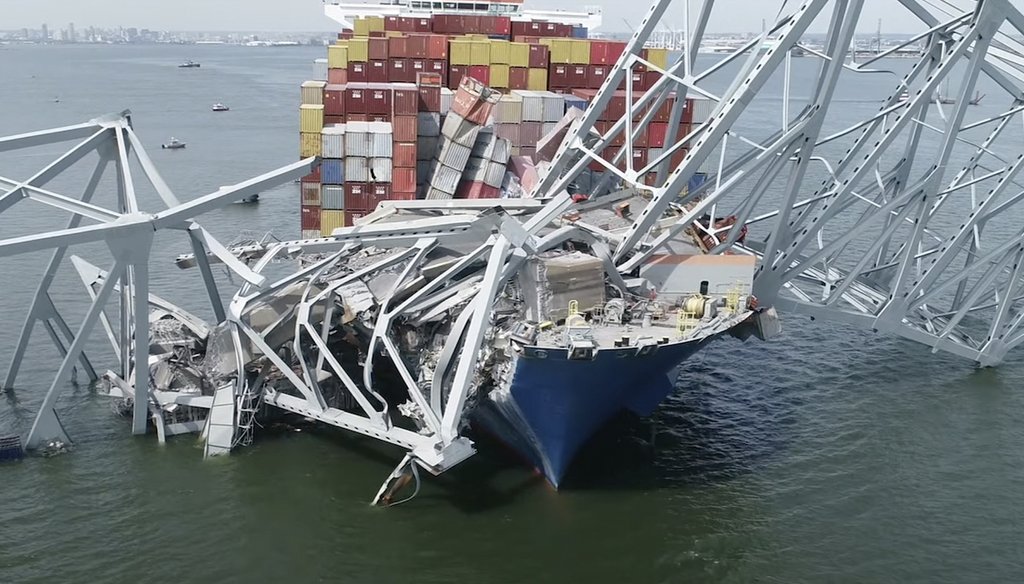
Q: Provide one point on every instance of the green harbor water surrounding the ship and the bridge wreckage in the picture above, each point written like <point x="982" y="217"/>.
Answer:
<point x="828" y="455"/>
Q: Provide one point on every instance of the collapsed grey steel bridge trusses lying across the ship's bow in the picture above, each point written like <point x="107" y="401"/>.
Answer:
<point x="903" y="223"/>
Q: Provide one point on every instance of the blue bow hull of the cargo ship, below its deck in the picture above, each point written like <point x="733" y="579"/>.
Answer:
<point x="552" y="406"/>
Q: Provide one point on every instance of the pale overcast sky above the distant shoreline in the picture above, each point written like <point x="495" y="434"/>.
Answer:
<point x="738" y="16"/>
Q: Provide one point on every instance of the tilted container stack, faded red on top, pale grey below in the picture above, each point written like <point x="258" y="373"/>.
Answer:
<point x="471" y="110"/>
